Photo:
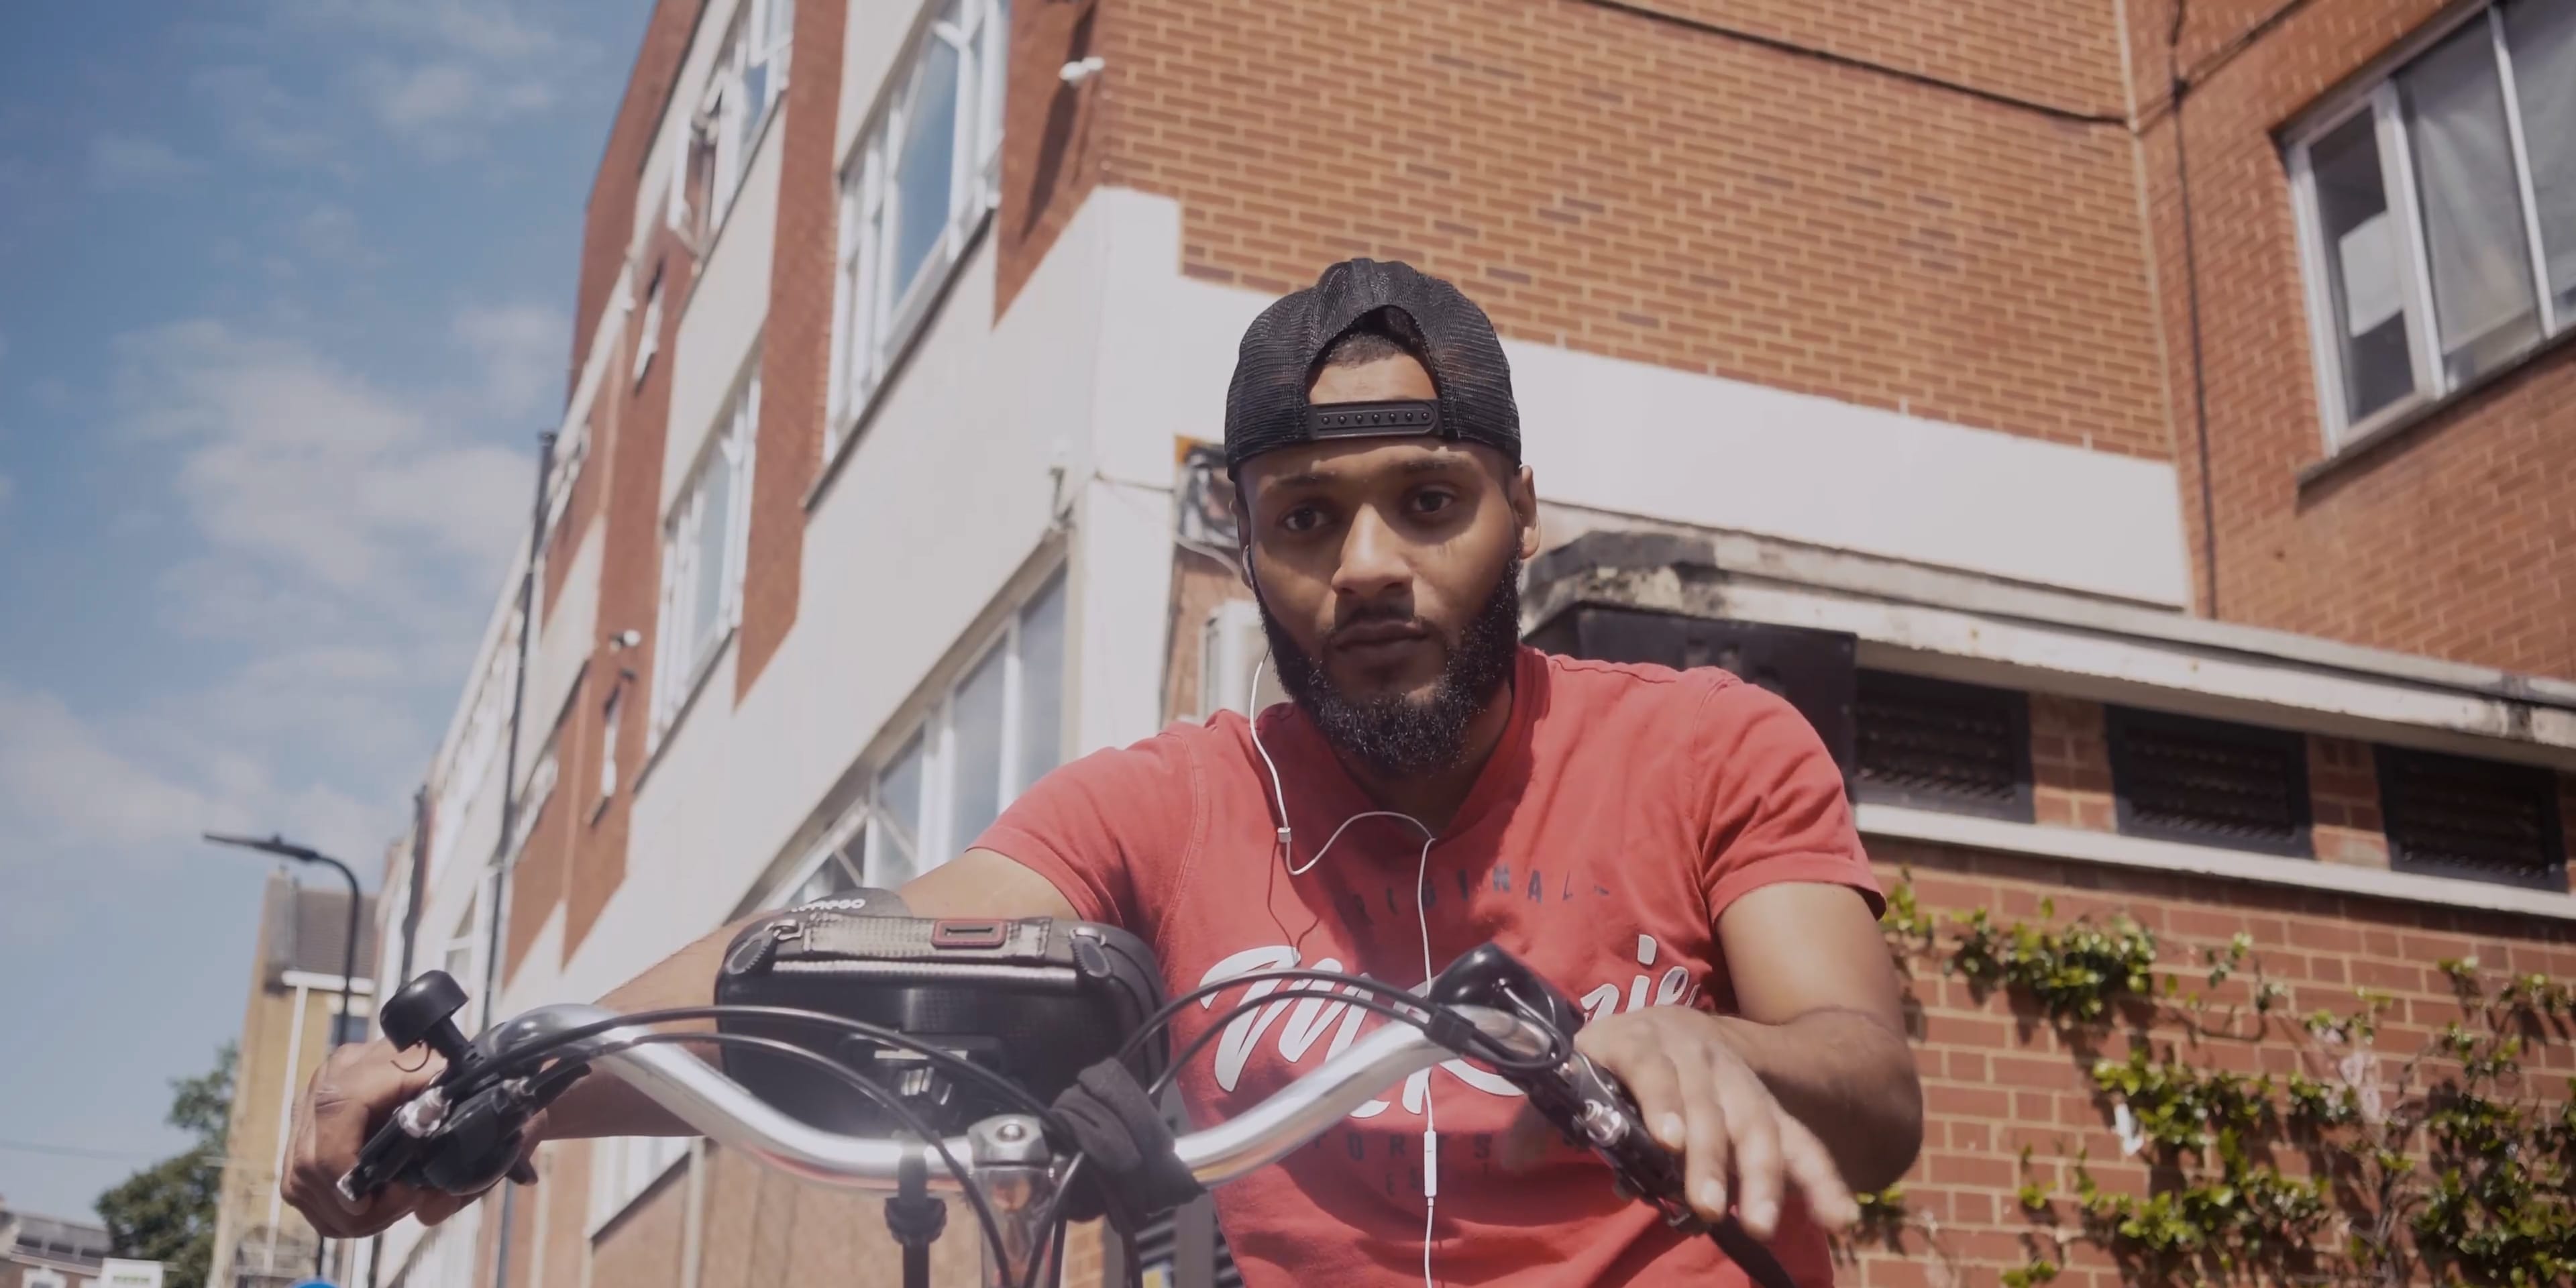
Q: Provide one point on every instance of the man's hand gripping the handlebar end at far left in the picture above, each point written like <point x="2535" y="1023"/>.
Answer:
<point x="349" y="1099"/>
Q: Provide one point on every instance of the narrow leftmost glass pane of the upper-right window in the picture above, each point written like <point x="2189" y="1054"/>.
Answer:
<point x="2363" y="269"/>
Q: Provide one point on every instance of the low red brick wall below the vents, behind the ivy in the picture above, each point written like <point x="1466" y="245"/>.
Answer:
<point x="2000" y="1081"/>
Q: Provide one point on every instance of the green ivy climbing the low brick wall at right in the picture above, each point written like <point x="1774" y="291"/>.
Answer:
<point x="2446" y="1166"/>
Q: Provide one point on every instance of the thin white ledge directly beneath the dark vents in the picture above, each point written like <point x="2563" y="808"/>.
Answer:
<point x="2165" y="857"/>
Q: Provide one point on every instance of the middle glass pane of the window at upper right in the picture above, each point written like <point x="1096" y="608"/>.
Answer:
<point x="2464" y="156"/>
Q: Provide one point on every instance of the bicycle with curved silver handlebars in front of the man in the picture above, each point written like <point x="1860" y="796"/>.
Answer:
<point x="1014" y="1168"/>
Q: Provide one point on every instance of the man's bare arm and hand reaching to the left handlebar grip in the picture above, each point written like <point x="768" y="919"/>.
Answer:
<point x="359" y="1086"/>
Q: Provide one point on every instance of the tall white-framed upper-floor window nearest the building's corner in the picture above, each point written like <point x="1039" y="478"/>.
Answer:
<point x="916" y="189"/>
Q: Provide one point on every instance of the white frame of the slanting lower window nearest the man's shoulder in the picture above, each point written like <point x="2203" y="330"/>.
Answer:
<point x="869" y="828"/>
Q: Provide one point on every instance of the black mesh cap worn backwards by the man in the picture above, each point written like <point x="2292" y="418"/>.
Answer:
<point x="1266" y="406"/>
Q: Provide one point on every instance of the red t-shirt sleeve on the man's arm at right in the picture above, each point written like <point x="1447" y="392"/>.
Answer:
<point x="1774" y="802"/>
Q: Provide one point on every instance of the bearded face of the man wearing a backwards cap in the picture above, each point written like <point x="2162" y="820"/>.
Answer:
<point x="1387" y="573"/>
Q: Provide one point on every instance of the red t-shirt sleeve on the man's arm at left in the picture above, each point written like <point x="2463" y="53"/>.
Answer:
<point x="1109" y="831"/>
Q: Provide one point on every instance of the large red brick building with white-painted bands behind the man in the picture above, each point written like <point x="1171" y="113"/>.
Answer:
<point x="2075" y="372"/>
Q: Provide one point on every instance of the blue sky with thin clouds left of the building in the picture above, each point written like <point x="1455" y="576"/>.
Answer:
<point x="285" y="300"/>
